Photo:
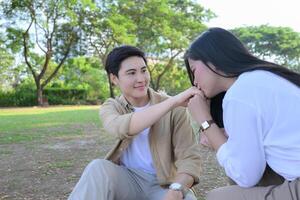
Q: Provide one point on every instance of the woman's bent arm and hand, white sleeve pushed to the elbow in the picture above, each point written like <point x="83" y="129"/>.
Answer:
<point x="243" y="147"/>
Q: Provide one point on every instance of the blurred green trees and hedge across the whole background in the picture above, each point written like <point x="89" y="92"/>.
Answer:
<point x="53" y="51"/>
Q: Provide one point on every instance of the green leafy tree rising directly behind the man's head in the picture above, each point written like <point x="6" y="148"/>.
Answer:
<point x="104" y="28"/>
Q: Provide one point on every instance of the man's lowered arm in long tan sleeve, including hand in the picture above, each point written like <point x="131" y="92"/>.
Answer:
<point x="186" y="152"/>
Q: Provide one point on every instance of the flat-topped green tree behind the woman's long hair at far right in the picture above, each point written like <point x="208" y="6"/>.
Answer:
<point x="278" y="44"/>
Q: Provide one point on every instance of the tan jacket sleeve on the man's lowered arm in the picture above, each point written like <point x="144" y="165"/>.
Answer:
<point x="186" y="149"/>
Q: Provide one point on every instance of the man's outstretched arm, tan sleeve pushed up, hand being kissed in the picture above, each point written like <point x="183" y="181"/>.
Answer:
<point x="116" y="121"/>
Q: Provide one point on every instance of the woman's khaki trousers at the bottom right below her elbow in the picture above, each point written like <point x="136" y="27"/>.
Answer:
<point x="271" y="187"/>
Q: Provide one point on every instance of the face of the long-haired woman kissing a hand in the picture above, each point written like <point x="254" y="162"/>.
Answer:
<point x="204" y="78"/>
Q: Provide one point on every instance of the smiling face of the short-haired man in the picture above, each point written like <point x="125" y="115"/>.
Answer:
<point x="133" y="80"/>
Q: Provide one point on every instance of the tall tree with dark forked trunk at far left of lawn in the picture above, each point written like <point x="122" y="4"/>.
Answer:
<point x="45" y="28"/>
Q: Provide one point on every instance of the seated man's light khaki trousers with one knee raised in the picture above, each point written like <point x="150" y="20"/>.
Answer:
<point x="104" y="180"/>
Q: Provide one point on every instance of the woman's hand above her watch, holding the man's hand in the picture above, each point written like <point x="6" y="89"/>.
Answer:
<point x="199" y="107"/>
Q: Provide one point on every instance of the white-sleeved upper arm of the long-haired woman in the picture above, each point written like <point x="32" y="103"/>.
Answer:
<point x="243" y="156"/>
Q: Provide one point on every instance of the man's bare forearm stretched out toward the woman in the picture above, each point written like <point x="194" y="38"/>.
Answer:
<point x="147" y="117"/>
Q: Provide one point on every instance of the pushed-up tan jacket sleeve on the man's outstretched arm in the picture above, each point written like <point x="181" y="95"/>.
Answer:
<point x="113" y="119"/>
